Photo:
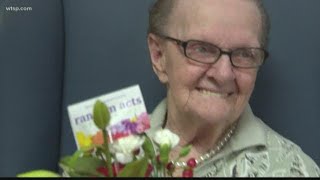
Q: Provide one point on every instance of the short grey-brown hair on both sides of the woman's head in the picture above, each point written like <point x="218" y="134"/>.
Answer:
<point x="160" y="11"/>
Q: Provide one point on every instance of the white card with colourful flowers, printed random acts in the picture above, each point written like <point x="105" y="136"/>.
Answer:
<point x="128" y="116"/>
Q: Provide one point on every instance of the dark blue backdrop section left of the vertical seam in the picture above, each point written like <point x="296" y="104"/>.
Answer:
<point x="31" y="74"/>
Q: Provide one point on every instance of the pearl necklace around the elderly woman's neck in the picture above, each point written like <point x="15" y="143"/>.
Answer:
<point x="210" y="153"/>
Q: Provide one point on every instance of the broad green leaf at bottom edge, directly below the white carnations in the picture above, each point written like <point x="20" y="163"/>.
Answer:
<point x="136" y="168"/>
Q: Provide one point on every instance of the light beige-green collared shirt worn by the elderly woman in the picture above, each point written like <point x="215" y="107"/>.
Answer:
<point x="254" y="150"/>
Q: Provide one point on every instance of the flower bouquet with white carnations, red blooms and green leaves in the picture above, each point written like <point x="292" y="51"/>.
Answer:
<point x="135" y="155"/>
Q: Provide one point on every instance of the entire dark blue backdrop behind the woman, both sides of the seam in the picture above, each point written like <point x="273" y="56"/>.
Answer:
<point x="66" y="51"/>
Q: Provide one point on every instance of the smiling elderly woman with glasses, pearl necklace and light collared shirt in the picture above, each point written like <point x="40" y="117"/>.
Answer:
<point x="208" y="54"/>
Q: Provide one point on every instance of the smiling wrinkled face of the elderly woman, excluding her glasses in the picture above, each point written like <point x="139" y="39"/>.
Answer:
<point x="216" y="92"/>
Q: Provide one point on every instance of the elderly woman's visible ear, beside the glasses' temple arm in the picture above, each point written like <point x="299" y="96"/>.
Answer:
<point x="157" y="57"/>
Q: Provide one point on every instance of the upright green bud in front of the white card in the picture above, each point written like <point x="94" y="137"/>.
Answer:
<point x="101" y="115"/>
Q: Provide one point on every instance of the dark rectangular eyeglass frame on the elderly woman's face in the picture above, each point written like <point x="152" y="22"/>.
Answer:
<point x="184" y="45"/>
